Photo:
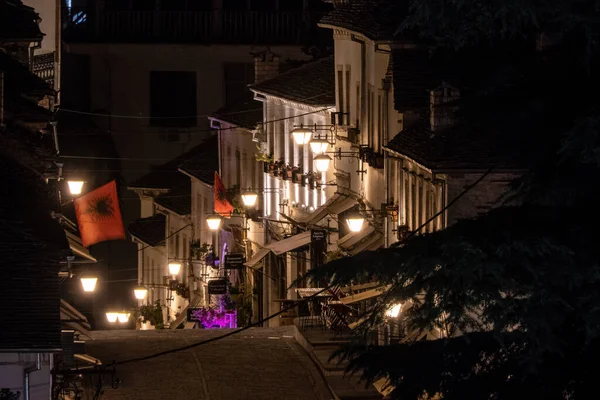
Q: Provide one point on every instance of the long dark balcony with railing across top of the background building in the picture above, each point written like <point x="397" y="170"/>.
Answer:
<point x="208" y="26"/>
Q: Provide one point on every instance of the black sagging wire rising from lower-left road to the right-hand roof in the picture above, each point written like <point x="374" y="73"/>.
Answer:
<point x="289" y="307"/>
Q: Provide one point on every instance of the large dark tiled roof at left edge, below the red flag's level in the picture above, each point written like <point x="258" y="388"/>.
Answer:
<point x="32" y="244"/>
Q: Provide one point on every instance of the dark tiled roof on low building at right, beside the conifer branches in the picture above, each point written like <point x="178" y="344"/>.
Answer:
<point x="454" y="148"/>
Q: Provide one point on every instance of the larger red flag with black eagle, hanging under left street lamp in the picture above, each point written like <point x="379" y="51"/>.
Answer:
<point x="99" y="216"/>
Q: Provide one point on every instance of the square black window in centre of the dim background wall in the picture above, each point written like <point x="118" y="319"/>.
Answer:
<point x="173" y="98"/>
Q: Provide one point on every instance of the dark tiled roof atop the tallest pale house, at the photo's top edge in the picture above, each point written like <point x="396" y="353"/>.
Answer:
<point x="376" y="19"/>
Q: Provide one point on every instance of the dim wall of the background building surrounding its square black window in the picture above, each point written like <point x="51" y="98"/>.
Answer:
<point x="120" y="85"/>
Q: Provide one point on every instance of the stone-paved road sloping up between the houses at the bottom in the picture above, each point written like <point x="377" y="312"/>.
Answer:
<point x="260" y="363"/>
